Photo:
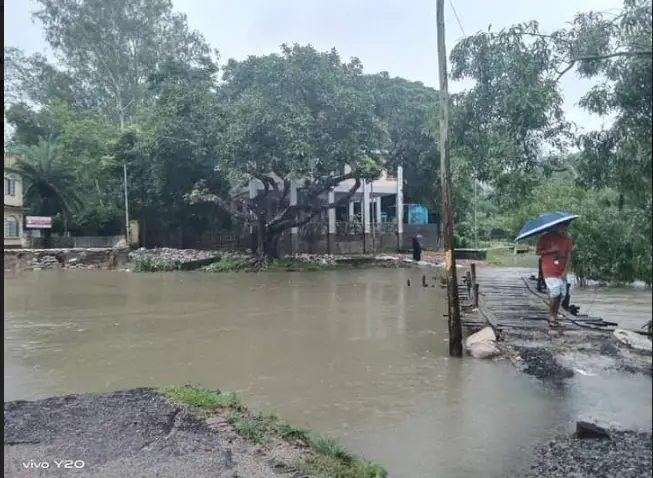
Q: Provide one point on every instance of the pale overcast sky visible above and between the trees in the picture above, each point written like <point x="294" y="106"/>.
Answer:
<point x="391" y="35"/>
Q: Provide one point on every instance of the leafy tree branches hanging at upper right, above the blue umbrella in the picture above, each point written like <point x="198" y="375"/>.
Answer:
<point x="514" y="108"/>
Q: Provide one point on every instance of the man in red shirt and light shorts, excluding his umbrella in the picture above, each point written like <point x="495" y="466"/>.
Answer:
<point x="554" y="248"/>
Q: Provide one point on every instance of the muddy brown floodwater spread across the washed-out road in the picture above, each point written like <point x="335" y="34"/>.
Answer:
<point x="356" y="354"/>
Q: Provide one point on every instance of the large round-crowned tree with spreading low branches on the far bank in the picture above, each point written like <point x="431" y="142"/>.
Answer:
<point x="298" y="116"/>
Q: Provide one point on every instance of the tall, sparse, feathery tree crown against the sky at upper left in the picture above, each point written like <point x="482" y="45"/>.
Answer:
<point x="107" y="51"/>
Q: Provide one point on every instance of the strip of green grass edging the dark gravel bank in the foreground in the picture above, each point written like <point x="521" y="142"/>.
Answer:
<point x="321" y="457"/>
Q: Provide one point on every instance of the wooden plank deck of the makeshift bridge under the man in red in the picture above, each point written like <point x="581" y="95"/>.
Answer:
<point x="509" y="299"/>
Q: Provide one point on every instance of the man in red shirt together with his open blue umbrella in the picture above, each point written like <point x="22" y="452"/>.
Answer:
<point x="554" y="248"/>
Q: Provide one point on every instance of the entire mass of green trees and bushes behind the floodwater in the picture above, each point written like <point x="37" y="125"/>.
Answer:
<point x="189" y="130"/>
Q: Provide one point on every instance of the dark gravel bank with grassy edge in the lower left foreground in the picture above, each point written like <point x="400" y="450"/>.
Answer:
<point x="142" y="433"/>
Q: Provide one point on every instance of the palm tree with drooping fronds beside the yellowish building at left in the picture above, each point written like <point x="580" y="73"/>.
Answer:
<point x="49" y="182"/>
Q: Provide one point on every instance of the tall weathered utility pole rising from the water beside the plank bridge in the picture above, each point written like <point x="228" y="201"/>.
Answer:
<point x="455" y="327"/>
